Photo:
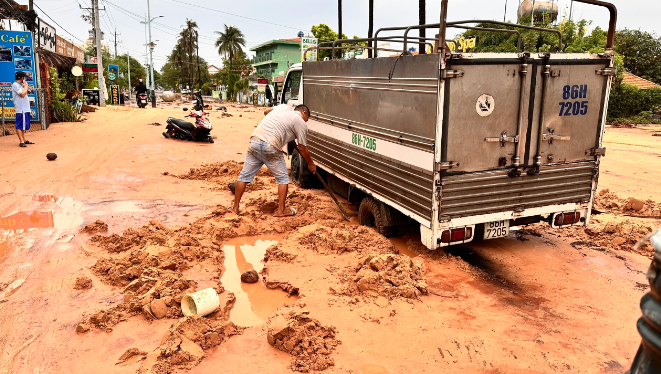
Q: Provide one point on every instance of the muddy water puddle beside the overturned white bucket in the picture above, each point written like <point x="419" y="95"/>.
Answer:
<point x="254" y="302"/>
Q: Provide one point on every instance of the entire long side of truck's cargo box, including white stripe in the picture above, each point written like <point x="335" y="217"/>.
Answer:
<point x="392" y="101"/>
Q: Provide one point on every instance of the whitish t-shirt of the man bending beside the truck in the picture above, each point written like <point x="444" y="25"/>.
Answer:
<point x="281" y="126"/>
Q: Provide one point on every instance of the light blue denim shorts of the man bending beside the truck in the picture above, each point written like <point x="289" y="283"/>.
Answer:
<point x="262" y="153"/>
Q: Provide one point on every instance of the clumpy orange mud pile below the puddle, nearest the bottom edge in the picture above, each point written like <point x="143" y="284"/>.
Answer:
<point x="305" y="338"/>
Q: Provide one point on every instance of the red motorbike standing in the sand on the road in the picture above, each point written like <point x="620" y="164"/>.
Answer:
<point x="184" y="130"/>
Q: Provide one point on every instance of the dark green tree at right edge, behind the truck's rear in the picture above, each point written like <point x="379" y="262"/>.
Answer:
<point x="641" y="53"/>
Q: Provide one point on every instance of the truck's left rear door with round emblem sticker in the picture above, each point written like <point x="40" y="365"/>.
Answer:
<point x="481" y="113"/>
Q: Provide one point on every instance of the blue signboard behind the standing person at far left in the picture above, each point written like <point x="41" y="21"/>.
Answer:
<point x="17" y="53"/>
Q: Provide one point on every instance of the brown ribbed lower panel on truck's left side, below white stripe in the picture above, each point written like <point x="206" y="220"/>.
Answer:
<point x="406" y="186"/>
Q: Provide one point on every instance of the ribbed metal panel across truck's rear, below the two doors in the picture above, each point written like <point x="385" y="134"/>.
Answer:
<point x="494" y="191"/>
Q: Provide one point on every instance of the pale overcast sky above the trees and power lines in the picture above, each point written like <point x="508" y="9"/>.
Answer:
<point x="265" y="20"/>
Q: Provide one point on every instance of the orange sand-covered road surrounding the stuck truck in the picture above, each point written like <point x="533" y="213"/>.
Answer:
<point x="545" y="301"/>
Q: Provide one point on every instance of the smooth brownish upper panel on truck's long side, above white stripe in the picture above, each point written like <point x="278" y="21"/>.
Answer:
<point x="393" y="99"/>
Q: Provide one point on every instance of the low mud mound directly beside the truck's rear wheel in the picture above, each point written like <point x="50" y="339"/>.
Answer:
<point x="332" y="237"/>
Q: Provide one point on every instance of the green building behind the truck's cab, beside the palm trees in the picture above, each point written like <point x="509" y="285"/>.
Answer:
<point x="273" y="58"/>
